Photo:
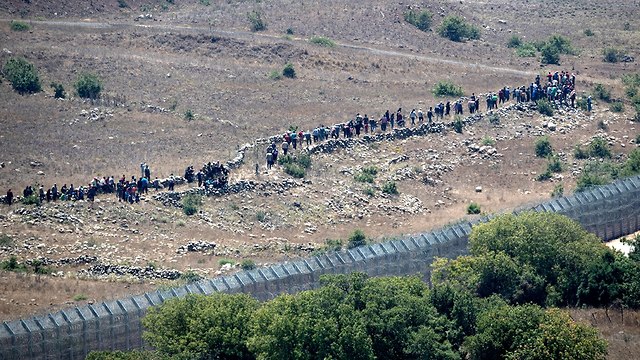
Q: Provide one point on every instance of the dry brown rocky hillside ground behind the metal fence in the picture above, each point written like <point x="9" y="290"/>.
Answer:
<point x="204" y="59"/>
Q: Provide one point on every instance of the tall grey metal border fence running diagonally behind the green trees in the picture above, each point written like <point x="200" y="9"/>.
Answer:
<point x="609" y="211"/>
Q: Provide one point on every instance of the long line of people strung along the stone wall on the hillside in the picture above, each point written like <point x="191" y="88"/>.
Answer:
<point x="557" y="88"/>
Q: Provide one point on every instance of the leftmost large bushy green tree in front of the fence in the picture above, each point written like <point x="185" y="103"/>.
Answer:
<point x="202" y="327"/>
